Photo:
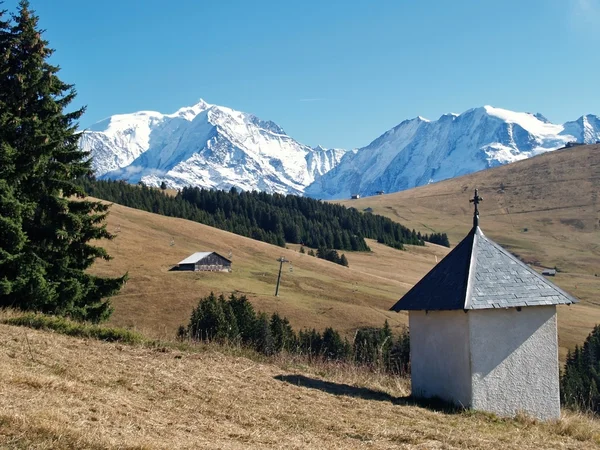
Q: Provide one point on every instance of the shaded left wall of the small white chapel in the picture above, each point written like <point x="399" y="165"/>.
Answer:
<point x="439" y="350"/>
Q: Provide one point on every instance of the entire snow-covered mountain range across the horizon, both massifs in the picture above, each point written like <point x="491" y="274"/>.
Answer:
<point x="213" y="146"/>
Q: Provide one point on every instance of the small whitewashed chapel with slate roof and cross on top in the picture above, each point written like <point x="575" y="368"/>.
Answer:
<point x="483" y="331"/>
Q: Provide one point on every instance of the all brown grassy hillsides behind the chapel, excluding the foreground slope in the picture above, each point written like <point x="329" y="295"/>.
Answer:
<point x="554" y="197"/>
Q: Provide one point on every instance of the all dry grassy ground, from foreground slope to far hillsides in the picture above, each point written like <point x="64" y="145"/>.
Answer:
<point x="66" y="392"/>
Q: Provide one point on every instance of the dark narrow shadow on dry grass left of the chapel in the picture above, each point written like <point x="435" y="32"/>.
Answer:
<point x="434" y="404"/>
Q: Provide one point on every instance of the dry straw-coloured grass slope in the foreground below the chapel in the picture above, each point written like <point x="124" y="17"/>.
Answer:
<point x="54" y="396"/>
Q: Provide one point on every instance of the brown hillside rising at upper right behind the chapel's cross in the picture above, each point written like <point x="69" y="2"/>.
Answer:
<point x="545" y="209"/>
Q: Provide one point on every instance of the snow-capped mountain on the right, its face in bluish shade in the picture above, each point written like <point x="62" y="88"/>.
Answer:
<point x="420" y="151"/>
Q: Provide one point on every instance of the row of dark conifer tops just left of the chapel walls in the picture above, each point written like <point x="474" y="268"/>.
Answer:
<point x="234" y="320"/>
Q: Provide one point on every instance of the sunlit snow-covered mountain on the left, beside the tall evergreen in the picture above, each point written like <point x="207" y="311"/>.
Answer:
<point x="204" y="145"/>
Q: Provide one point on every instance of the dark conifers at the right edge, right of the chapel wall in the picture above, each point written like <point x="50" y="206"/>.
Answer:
<point x="580" y="381"/>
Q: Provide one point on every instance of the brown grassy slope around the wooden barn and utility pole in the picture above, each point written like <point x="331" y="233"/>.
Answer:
<point x="316" y="293"/>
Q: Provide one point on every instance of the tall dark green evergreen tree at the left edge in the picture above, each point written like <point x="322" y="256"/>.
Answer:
<point x="41" y="162"/>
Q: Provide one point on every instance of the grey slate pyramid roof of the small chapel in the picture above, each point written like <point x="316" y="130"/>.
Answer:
<point x="479" y="274"/>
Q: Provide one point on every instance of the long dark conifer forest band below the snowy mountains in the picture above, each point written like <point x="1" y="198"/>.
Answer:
<point x="274" y="218"/>
